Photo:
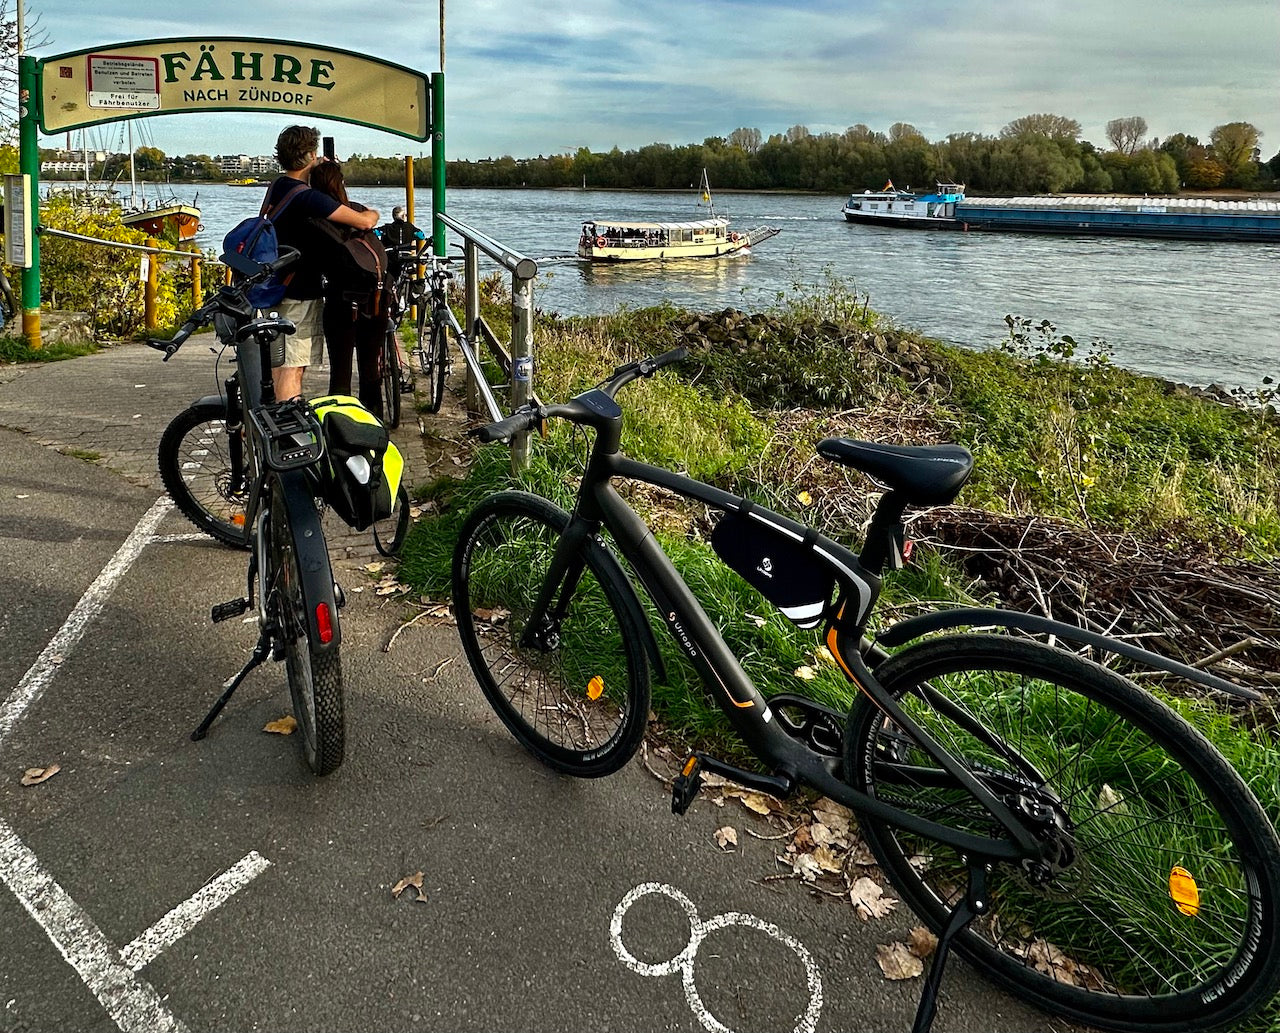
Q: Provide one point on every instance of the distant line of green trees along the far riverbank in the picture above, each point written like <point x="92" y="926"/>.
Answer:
<point x="1036" y="154"/>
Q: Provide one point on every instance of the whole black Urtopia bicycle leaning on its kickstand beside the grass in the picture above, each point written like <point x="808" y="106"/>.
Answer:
<point x="1062" y="829"/>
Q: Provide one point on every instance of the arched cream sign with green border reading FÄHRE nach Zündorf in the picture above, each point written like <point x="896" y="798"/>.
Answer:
<point x="159" y="77"/>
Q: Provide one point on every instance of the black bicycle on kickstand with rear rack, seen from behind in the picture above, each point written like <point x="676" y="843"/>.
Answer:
<point x="272" y="452"/>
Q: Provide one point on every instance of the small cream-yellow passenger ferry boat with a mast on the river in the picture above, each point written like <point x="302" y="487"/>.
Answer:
<point x="623" y="240"/>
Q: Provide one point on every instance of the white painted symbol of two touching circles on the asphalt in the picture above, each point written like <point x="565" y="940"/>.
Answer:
<point x="698" y="933"/>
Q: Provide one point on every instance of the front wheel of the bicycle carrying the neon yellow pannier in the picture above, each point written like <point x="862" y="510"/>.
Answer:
<point x="198" y="468"/>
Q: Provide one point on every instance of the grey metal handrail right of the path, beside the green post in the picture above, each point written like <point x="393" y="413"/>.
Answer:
<point x="515" y="362"/>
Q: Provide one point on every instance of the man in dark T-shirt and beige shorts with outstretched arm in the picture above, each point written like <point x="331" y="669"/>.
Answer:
<point x="298" y="152"/>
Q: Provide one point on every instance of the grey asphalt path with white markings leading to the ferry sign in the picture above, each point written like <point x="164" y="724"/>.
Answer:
<point x="162" y="884"/>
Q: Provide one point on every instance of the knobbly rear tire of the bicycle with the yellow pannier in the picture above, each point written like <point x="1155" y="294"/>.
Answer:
<point x="314" y="674"/>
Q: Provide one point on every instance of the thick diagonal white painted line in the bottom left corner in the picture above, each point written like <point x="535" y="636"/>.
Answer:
<point x="131" y="1002"/>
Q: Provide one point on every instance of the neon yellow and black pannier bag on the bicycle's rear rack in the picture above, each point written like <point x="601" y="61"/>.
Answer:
<point x="363" y="469"/>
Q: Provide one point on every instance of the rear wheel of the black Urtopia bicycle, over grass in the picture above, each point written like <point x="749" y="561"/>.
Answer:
<point x="1096" y="934"/>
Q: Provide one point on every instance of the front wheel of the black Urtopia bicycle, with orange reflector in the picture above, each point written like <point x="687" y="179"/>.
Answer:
<point x="579" y="700"/>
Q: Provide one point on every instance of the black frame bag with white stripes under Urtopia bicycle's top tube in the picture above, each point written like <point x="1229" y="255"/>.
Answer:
<point x="784" y="570"/>
